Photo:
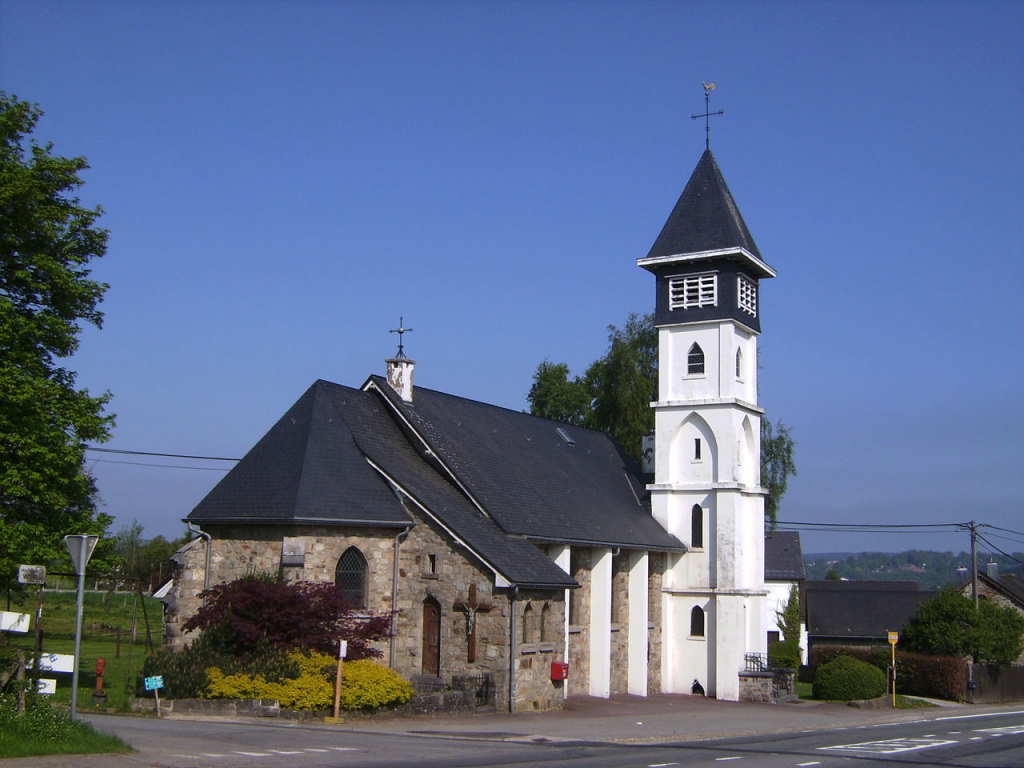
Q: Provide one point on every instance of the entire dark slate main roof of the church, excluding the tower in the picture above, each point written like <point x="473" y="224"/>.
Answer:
<point x="495" y="479"/>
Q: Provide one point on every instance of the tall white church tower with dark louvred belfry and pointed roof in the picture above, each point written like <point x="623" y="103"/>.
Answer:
<point x="708" y="437"/>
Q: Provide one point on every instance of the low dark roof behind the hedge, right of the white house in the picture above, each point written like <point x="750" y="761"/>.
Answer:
<point x="861" y="611"/>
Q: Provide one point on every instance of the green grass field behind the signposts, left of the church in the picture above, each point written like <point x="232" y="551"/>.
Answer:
<point x="103" y="615"/>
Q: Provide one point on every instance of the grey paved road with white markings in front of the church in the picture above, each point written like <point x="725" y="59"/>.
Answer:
<point x="622" y="733"/>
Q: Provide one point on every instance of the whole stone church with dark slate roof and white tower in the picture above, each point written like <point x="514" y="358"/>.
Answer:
<point x="534" y="554"/>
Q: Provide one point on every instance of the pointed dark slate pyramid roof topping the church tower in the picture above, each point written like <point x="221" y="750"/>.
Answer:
<point x="706" y="218"/>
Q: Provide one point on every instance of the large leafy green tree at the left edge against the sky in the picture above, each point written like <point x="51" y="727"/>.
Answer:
<point x="48" y="240"/>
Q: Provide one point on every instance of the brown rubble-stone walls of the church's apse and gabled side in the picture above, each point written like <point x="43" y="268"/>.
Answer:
<point x="430" y="570"/>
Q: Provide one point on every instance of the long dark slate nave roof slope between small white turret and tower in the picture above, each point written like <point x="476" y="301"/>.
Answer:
<point x="531" y="480"/>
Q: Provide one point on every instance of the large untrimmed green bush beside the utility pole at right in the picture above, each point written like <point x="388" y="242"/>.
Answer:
<point x="949" y="625"/>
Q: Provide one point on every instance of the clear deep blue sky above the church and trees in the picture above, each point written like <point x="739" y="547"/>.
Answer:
<point x="284" y="181"/>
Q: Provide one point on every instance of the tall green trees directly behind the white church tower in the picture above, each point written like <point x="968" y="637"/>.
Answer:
<point x="615" y="397"/>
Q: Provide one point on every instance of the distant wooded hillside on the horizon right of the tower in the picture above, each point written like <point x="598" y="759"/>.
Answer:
<point x="932" y="571"/>
